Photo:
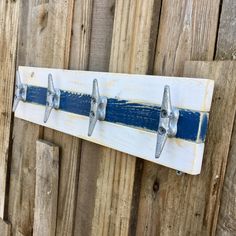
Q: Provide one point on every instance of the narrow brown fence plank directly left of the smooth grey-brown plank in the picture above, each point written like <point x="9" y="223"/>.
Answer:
<point x="71" y="146"/>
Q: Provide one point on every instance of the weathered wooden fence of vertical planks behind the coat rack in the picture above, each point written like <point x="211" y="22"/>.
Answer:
<point x="73" y="187"/>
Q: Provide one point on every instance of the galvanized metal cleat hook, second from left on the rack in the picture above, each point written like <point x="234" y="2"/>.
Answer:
<point x="53" y="98"/>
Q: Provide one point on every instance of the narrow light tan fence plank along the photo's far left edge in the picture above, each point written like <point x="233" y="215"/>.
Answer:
<point x="9" y="15"/>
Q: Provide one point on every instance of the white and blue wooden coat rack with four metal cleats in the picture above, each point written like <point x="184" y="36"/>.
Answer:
<point x="160" y="119"/>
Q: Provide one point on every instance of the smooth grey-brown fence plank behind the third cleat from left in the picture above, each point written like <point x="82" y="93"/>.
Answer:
<point x="101" y="34"/>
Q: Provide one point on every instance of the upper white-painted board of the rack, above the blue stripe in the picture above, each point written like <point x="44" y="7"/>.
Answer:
<point x="194" y="94"/>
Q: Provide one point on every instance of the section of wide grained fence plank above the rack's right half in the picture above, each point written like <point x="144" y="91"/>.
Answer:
<point x="187" y="32"/>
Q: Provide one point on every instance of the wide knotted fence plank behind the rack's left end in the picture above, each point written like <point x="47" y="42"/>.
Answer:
<point x="44" y="40"/>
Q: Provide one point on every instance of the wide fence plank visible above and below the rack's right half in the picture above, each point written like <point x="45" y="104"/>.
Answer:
<point x="187" y="31"/>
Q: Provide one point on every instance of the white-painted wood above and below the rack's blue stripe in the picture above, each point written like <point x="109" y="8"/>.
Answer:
<point x="194" y="94"/>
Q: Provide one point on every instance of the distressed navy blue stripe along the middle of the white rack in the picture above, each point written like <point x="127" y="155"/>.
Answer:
<point x="126" y="113"/>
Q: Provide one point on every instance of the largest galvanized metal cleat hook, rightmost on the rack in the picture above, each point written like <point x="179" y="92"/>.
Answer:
<point x="168" y="121"/>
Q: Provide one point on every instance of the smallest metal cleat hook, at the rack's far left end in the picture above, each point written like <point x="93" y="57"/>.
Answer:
<point x="20" y="92"/>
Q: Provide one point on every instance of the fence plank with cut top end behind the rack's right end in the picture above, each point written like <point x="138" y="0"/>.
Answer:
<point x="218" y="140"/>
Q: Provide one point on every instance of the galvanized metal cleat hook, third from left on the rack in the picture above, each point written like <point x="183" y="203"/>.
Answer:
<point x="98" y="108"/>
